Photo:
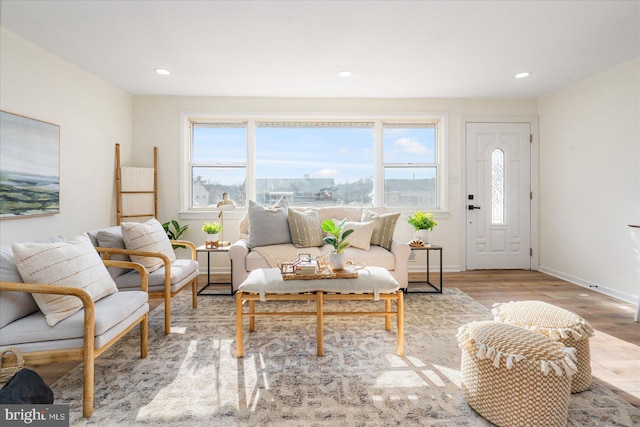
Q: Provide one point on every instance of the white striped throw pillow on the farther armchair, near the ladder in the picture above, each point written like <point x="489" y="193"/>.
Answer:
<point x="149" y="237"/>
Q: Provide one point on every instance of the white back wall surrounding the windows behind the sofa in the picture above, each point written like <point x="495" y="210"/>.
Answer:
<point x="157" y="123"/>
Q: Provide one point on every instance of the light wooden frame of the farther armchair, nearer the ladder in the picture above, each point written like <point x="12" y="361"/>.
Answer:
<point x="167" y="294"/>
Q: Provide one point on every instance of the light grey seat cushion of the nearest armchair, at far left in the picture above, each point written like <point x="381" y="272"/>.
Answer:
<point x="109" y="311"/>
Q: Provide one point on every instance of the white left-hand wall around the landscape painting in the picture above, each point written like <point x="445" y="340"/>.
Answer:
<point x="93" y="115"/>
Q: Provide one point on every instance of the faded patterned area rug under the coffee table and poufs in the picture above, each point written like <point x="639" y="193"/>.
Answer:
<point x="193" y="378"/>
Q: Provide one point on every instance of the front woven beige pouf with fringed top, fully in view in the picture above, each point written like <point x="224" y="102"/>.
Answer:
<point x="514" y="377"/>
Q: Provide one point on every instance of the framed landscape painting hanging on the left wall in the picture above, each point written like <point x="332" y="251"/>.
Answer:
<point x="29" y="167"/>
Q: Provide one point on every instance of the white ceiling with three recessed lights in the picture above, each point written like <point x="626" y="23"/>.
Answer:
<point x="395" y="49"/>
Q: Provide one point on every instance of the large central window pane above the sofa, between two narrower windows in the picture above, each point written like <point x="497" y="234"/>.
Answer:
<point x="315" y="163"/>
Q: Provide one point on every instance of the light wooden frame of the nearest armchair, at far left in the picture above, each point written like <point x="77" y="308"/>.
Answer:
<point x="88" y="352"/>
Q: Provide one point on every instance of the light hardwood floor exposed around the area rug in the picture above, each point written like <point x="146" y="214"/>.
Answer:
<point x="615" y="349"/>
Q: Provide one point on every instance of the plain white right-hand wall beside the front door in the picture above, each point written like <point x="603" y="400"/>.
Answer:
<point x="590" y="181"/>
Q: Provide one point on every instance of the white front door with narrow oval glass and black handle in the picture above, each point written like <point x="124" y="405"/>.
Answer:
<point x="498" y="205"/>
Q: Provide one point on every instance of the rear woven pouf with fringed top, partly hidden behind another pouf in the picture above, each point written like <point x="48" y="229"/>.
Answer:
<point x="559" y="325"/>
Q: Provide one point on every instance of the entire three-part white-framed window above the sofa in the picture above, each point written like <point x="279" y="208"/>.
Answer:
<point x="368" y="162"/>
